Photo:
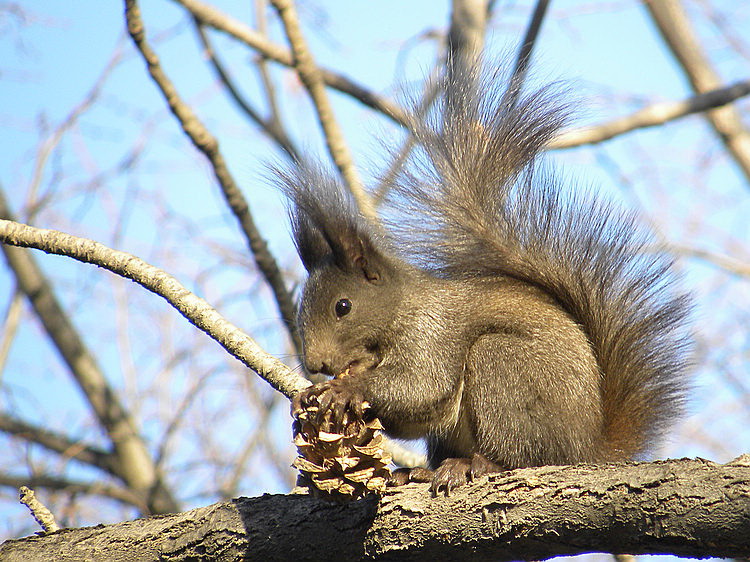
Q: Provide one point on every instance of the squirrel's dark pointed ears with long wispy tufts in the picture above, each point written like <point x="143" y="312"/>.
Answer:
<point x="327" y="225"/>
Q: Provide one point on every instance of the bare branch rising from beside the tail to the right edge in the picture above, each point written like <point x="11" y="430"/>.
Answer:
<point x="652" y="116"/>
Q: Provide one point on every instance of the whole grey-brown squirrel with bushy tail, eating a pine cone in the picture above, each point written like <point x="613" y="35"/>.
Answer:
<point x="508" y="321"/>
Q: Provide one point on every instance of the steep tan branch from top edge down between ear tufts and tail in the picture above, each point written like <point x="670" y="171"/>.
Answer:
<point x="312" y="79"/>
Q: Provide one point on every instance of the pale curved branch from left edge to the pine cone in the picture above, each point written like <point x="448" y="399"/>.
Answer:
<point x="195" y="309"/>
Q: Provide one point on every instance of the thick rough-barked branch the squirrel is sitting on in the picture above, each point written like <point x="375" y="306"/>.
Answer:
<point x="684" y="507"/>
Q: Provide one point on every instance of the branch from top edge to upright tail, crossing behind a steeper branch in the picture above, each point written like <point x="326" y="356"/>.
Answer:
<point x="212" y="17"/>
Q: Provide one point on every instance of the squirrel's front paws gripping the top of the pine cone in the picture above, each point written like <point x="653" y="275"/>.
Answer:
<point x="335" y="398"/>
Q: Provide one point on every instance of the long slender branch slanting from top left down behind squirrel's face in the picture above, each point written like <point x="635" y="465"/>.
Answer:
<point x="209" y="146"/>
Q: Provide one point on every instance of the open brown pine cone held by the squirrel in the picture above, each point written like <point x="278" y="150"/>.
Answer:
<point x="342" y="465"/>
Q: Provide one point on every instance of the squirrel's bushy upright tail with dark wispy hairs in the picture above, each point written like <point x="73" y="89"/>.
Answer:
<point x="472" y="201"/>
